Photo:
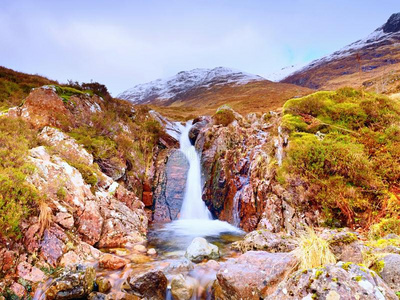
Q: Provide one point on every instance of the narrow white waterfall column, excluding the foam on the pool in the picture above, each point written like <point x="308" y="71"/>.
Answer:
<point x="193" y="206"/>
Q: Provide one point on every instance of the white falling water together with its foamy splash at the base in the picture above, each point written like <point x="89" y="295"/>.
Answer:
<point x="195" y="218"/>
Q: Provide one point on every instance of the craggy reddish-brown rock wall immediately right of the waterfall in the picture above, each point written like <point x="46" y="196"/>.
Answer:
<point x="239" y="163"/>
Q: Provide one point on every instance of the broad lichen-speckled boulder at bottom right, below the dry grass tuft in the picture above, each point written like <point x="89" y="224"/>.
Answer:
<point x="341" y="281"/>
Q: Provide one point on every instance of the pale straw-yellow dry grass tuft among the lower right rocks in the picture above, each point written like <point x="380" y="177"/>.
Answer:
<point x="313" y="251"/>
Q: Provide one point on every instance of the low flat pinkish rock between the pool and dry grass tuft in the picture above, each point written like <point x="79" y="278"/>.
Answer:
<point x="266" y="241"/>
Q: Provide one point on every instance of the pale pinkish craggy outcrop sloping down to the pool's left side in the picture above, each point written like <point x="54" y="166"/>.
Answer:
<point x="100" y="218"/>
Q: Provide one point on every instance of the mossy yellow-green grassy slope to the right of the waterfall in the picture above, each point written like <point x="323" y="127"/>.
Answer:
<point x="345" y="146"/>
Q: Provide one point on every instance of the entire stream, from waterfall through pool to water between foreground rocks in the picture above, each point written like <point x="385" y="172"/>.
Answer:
<point x="170" y="240"/>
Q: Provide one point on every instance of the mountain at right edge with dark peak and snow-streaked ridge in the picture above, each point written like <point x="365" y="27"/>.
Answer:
<point x="373" y="62"/>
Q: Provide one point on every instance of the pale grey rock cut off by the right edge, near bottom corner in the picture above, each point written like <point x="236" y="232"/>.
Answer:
<point x="390" y="272"/>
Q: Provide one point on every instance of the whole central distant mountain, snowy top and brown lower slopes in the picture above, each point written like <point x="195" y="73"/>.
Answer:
<point x="201" y="91"/>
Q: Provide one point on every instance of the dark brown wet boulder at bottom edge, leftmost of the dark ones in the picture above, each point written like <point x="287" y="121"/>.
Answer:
<point x="75" y="283"/>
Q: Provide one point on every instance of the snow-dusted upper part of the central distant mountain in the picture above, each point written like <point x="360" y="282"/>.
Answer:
<point x="184" y="82"/>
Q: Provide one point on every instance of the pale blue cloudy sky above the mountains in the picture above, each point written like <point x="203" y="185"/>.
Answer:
<point x="122" y="43"/>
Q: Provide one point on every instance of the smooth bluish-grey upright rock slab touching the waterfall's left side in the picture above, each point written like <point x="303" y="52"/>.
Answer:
<point x="170" y="185"/>
